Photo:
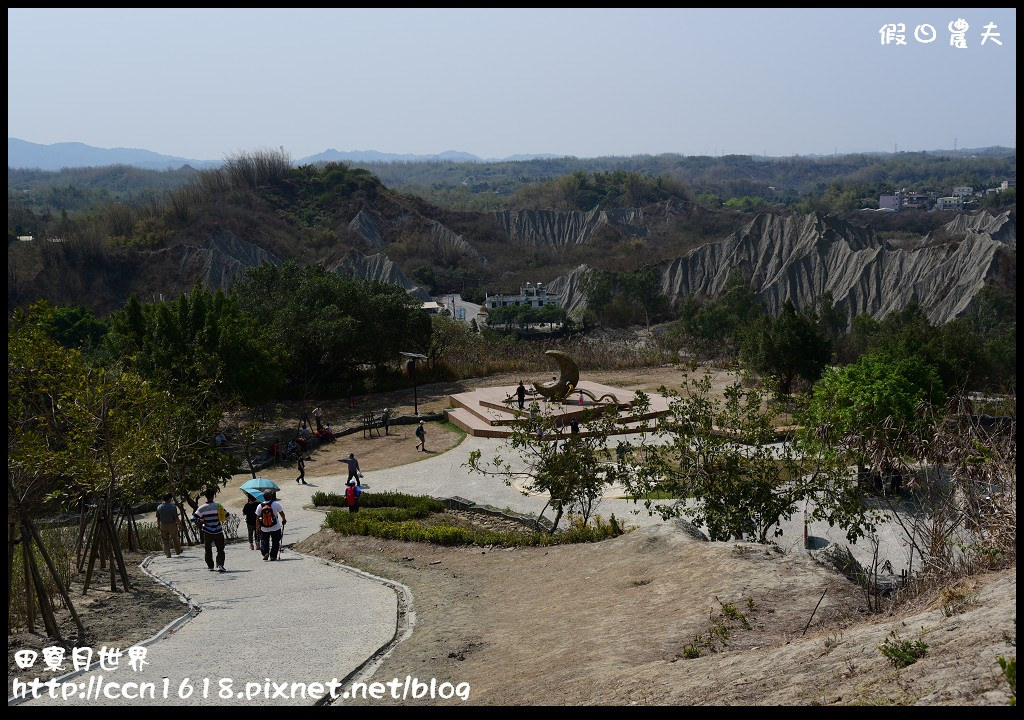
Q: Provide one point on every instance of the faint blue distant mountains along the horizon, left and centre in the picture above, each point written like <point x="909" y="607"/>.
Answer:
<point x="22" y="154"/>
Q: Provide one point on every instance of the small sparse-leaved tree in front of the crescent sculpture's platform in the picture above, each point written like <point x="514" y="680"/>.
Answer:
<point x="571" y="469"/>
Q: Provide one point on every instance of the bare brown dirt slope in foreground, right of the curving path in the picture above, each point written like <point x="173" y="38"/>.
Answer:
<point x="609" y="624"/>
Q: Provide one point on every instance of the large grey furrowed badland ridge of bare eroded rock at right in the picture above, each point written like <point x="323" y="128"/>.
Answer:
<point x="801" y="258"/>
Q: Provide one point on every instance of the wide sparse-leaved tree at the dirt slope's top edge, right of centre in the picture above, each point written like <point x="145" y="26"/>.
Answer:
<point x="720" y="463"/>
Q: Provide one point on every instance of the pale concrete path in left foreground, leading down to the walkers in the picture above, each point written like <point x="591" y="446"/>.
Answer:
<point x="297" y="620"/>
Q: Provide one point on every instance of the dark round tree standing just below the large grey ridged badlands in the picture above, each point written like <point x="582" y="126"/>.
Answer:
<point x="788" y="347"/>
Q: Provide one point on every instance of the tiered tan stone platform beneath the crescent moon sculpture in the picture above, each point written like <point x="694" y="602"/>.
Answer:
<point x="493" y="412"/>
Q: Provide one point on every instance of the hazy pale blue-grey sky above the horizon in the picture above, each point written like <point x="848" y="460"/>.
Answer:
<point x="206" y="83"/>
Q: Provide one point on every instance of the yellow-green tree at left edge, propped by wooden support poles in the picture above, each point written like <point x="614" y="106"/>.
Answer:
<point x="92" y="443"/>
